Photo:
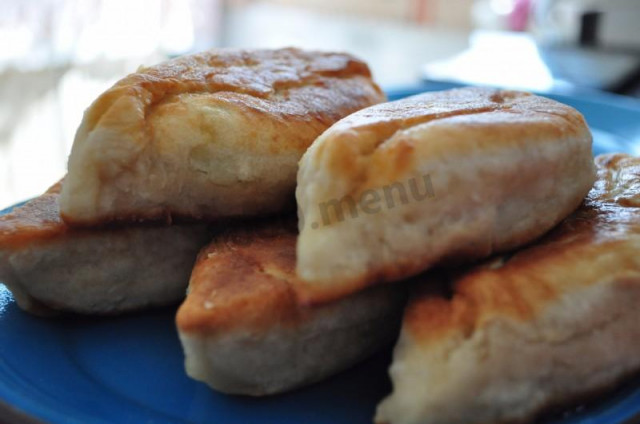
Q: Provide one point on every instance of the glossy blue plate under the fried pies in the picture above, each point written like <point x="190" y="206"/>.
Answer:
<point x="130" y="370"/>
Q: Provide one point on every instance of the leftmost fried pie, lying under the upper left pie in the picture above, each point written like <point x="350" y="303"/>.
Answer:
<point x="51" y="268"/>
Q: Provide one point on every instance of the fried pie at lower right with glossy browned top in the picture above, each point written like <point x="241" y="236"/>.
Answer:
<point x="556" y="321"/>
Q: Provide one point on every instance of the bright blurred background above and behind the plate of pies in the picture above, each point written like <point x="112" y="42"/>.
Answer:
<point x="56" y="56"/>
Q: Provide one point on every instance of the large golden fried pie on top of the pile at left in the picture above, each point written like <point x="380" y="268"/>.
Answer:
<point x="209" y="135"/>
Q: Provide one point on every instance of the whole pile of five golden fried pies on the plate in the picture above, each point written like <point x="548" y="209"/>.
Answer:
<point x="471" y="226"/>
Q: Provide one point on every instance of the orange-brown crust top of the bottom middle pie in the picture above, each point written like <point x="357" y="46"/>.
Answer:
<point x="244" y="279"/>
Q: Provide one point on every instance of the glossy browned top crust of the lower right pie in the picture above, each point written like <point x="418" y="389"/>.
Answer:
<point x="520" y="285"/>
